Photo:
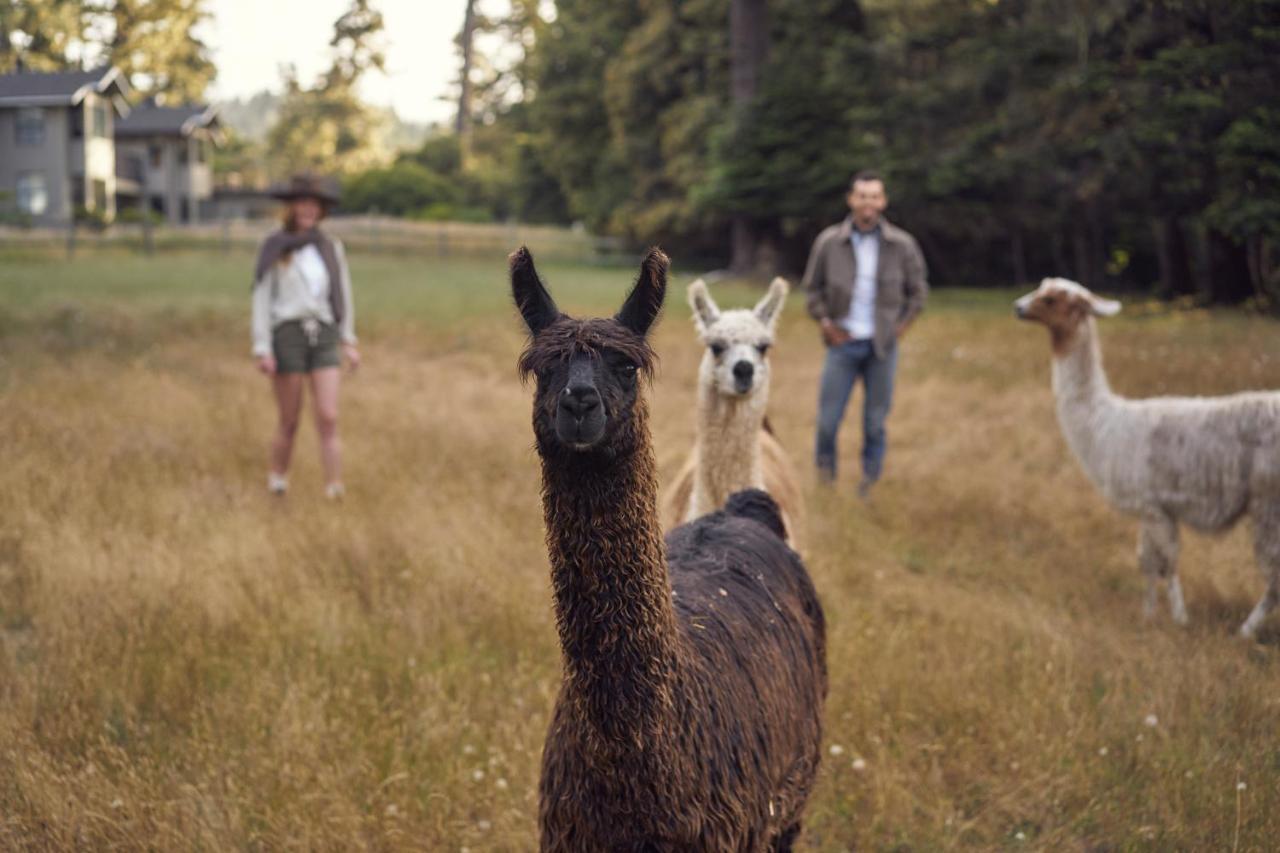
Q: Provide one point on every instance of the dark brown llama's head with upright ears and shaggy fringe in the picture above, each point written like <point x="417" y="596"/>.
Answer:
<point x="588" y="372"/>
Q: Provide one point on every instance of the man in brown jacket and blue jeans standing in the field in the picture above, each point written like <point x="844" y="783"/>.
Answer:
<point x="865" y="285"/>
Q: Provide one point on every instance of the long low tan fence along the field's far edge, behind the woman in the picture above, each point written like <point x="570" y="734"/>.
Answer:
<point x="359" y="234"/>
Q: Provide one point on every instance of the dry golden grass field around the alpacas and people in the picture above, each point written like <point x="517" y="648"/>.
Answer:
<point x="186" y="664"/>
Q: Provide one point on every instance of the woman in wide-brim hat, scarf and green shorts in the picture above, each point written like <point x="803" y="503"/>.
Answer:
<point x="304" y="325"/>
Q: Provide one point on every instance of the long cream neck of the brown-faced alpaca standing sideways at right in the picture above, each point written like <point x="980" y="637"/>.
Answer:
<point x="1085" y="399"/>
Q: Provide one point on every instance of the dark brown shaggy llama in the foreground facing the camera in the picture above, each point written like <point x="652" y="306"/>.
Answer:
<point x="691" y="711"/>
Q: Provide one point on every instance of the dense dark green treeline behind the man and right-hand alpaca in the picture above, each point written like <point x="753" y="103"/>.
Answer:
<point x="1132" y="144"/>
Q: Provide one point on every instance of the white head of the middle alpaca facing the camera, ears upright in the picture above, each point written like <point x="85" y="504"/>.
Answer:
<point x="738" y="341"/>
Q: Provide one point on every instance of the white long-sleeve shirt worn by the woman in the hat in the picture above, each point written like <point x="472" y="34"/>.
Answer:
<point x="299" y="290"/>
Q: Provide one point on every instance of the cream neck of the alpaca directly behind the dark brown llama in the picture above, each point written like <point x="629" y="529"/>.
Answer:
<point x="728" y="448"/>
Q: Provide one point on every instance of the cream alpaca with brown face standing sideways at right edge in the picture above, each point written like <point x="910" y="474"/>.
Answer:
<point x="1203" y="462"/>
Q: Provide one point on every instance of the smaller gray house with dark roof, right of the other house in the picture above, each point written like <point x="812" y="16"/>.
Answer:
<point x="163" y="161"/>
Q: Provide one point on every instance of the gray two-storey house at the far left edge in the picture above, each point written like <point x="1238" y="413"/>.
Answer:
<point x="57" y="143"/>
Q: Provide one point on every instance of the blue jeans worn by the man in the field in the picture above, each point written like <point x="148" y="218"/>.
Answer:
<point x="845" y="364"/>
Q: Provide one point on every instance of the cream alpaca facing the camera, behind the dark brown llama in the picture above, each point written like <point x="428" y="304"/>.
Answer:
<point x="734" y="449"/>
